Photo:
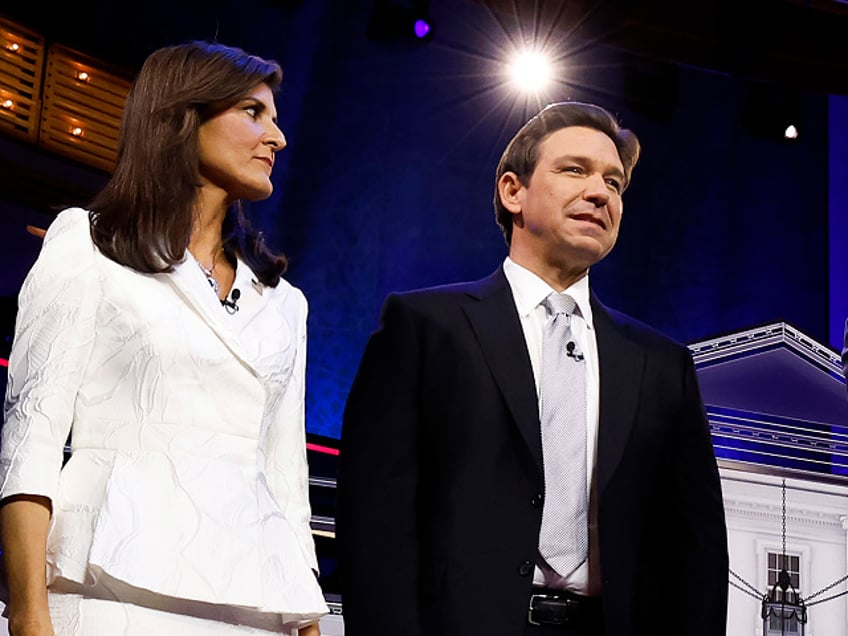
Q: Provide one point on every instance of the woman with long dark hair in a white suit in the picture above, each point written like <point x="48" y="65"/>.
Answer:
<point x="156" y="332"/>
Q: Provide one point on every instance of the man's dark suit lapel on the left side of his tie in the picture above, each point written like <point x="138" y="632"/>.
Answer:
<point x="496" y="325"/>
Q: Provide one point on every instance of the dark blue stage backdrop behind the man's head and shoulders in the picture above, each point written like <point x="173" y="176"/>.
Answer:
<point x="390" y="187"/>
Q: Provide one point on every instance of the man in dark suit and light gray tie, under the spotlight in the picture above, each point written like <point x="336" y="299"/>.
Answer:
<point x="446" y="474"/>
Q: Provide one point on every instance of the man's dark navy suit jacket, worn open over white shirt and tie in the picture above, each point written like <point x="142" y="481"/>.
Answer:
<point x="441" y="480"/>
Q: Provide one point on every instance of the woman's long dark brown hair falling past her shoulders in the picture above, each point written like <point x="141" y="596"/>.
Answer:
<point x="144" y="216"/>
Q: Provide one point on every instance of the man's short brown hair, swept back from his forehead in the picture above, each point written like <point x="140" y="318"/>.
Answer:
<point x="522" y="153"/>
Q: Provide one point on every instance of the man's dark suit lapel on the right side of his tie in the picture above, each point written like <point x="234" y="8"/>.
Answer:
<point x="621" y="364"/>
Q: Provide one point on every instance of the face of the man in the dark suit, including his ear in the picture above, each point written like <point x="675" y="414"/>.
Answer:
<point x="567" y="216"/>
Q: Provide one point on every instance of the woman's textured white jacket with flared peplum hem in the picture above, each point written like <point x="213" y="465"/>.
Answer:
<point x="188" y="473"/>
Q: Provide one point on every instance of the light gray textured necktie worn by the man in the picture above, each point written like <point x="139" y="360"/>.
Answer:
<point x="564" y="538"/>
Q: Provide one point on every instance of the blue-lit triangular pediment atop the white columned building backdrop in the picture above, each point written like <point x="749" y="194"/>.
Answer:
<point x="775" y="398"/>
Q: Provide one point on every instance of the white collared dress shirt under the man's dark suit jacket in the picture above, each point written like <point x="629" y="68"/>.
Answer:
<point x="528" y="292"/>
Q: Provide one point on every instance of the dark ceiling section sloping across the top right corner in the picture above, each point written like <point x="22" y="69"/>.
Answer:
<point x="788" y="43"/>
